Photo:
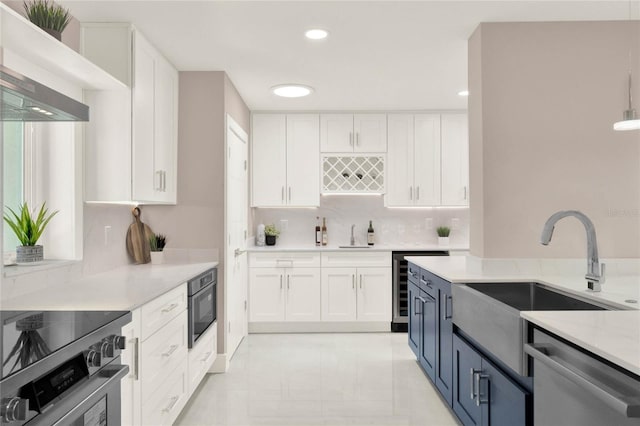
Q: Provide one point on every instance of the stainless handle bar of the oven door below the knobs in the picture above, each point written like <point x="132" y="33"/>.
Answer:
<point x="92" y="392"/>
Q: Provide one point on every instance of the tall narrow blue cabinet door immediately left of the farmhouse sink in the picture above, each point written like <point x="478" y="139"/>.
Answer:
<point x="444" y="344"/>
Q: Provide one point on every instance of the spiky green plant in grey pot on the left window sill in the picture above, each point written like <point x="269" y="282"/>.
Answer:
<point x="28" y="231"/>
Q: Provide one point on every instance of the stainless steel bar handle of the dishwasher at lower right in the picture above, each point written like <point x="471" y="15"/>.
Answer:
<point x="541" y="352"/>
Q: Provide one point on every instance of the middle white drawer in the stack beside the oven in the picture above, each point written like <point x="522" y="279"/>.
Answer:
<point x="161" y="353"/>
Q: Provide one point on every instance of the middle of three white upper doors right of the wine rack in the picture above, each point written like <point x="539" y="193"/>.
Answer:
<point x="427" y="160"/>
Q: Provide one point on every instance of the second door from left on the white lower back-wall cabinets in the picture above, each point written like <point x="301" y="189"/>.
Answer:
<point x="303" y="294"/>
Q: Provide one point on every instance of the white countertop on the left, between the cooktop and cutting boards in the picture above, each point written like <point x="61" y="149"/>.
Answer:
<point x="125" y="288"/>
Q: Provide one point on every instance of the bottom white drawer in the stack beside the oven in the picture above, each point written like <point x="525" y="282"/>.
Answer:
<point x="166" y="403"/>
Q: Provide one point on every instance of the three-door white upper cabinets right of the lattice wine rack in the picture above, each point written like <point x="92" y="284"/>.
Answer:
<point x="427" y="160"/>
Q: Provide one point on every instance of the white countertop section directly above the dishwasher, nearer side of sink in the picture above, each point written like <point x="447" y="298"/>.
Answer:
<point x="614" y="335"/>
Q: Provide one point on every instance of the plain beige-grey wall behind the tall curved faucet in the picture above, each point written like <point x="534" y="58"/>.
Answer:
<point x="544" y="97"/>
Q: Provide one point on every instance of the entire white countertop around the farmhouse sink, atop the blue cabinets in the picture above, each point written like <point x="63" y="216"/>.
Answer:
<point x="613" y="335"/>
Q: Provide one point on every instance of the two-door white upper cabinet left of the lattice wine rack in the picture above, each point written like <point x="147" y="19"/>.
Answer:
<point x="285" y="160"/>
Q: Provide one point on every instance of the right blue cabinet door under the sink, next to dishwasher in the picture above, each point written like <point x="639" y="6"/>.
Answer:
<point x="508" y="404"/>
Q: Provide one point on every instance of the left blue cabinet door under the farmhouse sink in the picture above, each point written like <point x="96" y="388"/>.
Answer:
<point x="466" y="364"/>
